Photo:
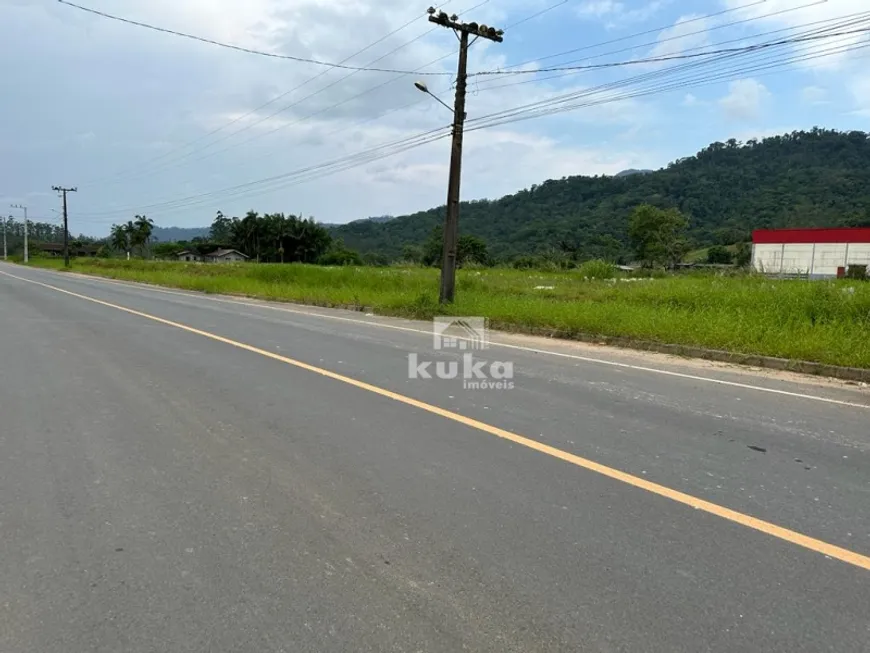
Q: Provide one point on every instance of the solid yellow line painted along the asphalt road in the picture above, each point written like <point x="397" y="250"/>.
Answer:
<point x="785" y="534"/>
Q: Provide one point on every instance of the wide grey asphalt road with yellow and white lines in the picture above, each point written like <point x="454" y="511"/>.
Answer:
<point x="203" y="474"/>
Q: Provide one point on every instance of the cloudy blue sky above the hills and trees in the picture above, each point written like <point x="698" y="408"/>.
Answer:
<point x="144" y="122"/>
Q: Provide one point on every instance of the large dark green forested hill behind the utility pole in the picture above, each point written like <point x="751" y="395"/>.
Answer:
<point x="815" y="178"/>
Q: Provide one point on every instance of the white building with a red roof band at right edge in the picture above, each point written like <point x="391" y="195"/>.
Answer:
<point x="814" y="253"/>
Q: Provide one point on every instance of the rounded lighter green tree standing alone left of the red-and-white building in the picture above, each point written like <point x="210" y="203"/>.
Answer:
<point x="658" y="235"/>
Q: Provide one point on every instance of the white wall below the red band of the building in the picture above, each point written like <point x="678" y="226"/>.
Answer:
<point x="820" y="259"/>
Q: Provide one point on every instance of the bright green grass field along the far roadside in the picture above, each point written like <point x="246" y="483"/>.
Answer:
<point x="822" y="321"/>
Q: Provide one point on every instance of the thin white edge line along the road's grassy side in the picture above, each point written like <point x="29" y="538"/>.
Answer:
<point x="585" y="359"/>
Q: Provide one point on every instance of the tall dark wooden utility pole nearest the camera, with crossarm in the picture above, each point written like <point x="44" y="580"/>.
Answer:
<point x="451" y="221"/>
